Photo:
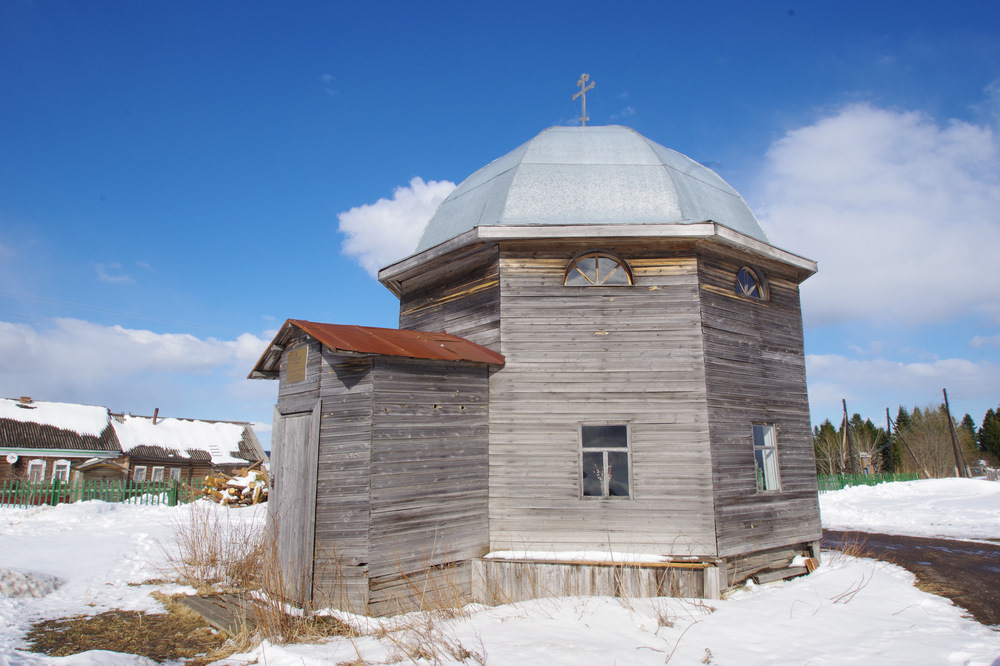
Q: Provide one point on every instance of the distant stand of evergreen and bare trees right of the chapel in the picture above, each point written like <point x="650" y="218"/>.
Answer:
<point x="916" y="441"/>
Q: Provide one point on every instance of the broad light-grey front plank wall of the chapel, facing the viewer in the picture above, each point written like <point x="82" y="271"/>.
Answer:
<point x="594" y="355"/>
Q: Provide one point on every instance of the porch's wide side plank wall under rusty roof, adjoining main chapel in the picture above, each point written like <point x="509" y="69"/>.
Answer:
<point x="429" y="474"/>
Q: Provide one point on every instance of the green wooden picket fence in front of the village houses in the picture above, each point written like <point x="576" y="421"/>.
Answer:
<point x="19" y="493"/>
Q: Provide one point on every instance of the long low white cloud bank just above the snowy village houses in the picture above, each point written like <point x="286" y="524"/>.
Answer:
<point x="132" y="369"/>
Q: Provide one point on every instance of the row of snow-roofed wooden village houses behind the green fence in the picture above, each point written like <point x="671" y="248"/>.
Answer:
<point x="43" y="441"/>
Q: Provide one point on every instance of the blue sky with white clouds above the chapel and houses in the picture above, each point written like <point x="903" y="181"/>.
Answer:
<point x="175" y="176"/>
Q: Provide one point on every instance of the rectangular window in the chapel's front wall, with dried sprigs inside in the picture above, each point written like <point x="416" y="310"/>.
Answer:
<point x="605" y="463"/>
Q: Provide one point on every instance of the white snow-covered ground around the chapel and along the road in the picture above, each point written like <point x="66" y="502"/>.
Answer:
<point x="849" y="611"/>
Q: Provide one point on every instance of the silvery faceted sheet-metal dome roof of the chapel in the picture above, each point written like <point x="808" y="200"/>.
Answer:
<point x="590" y="175"/>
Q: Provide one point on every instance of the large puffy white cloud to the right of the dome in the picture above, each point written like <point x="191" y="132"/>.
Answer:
<point x="898" y="211"/>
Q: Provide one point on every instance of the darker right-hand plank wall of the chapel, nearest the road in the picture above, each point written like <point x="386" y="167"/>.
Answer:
<point x="755" y="373"/>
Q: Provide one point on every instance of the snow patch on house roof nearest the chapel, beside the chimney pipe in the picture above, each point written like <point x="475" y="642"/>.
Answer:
<point x="219" y="439"/>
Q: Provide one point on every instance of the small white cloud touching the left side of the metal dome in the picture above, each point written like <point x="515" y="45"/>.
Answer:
<point x="389" y="229"/>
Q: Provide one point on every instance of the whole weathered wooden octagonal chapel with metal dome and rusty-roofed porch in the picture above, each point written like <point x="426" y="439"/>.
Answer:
<point x="643" y="422"/>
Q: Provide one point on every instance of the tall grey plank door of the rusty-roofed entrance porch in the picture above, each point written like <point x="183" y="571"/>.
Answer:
<point x="292" y="501"/>
